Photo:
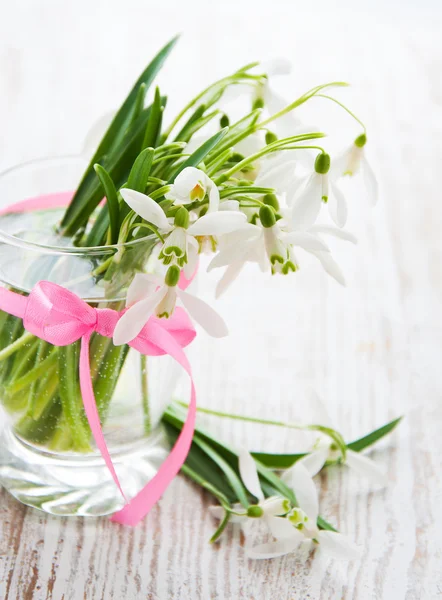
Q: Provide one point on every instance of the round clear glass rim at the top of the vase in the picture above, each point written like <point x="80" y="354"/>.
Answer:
<point x="13" y="240"/>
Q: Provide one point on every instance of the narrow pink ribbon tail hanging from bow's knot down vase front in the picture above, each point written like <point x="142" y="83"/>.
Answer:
<point x="90" y="408"/>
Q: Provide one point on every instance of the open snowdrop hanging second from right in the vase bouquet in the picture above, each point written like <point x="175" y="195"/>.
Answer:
<point x="319" y="187"/>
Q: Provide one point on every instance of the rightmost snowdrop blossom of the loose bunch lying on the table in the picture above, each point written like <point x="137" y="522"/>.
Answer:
<point x="324" y="450"/>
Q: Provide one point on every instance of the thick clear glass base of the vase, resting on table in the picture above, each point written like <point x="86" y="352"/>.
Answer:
<point x="76" y="485"/>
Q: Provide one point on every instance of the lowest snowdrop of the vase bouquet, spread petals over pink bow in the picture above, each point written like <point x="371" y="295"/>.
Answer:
<point x="148" y="295"/>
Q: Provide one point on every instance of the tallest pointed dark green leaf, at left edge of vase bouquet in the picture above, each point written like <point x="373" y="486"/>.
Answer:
<point x="113" y="138"/>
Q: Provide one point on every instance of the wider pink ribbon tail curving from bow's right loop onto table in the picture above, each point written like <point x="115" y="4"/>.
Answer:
<point x="146" y="498"/>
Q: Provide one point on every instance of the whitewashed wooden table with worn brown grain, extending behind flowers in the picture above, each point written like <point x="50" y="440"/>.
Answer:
<point x="372" y="350"/>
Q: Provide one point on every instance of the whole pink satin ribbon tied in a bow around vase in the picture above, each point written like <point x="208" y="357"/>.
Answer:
<point x="60" y="317"/>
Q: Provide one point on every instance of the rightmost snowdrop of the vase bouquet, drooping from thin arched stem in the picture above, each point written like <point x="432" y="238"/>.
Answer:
<point x="353" y="161"/>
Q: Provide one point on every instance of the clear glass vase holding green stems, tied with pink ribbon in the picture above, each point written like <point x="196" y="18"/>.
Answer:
<point x="47" y="455"/>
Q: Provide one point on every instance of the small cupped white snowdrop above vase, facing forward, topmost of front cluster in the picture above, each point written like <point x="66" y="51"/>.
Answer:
<point x="193" y="184"/>
